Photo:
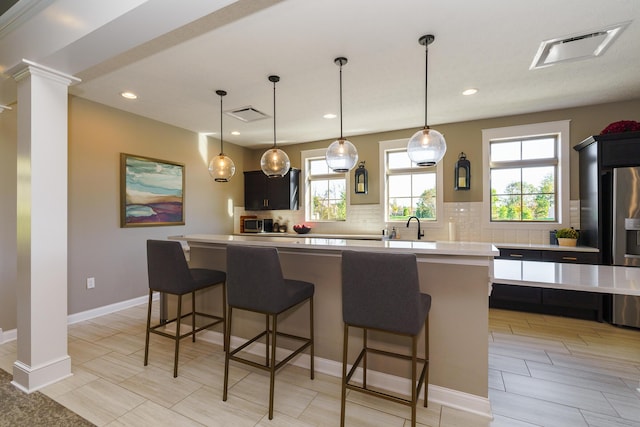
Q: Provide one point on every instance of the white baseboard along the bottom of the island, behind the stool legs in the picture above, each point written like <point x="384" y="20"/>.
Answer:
<point x="444" y="396"/>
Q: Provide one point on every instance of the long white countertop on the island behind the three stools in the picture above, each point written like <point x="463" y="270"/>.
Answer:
<point x="317" y="243"/>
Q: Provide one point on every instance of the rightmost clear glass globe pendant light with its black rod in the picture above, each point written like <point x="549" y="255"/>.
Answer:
<point x="427" y="146"/>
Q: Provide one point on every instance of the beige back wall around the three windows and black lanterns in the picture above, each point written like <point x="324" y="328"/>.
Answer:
<point x="467" y="137"/>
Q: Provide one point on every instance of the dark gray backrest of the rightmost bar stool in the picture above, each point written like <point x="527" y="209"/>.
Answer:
<point x="381" y="291"/>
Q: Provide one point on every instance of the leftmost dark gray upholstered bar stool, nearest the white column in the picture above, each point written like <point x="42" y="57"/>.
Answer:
<point x="170" y="274"/>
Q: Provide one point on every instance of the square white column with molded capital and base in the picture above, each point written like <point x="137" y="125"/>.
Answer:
<point x="41" y="226"/>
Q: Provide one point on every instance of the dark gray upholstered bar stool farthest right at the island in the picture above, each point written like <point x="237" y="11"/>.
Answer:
<point x="381" y="292"/>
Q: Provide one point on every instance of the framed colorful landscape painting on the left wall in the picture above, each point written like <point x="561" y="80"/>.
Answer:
<point x="151" y="192"/>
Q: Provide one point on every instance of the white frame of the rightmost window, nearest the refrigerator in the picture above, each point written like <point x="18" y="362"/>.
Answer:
<point x="559" y="129"/>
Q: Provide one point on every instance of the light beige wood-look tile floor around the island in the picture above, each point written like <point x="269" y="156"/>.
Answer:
<point x="544" y="371"/>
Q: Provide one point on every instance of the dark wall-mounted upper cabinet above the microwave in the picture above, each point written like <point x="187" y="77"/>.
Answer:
<point x="264" y="193"/>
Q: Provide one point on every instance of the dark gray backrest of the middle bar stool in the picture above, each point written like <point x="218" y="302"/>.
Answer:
<point x="254" y="277"/>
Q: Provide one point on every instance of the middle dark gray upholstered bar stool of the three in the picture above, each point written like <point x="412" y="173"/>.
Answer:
<point x="255" y="283"/>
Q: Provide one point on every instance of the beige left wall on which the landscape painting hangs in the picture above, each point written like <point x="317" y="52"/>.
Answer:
<point x="98" y="247"/>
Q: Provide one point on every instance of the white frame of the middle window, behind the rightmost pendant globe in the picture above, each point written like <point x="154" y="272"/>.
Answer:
<point x="399" y="144"/>
